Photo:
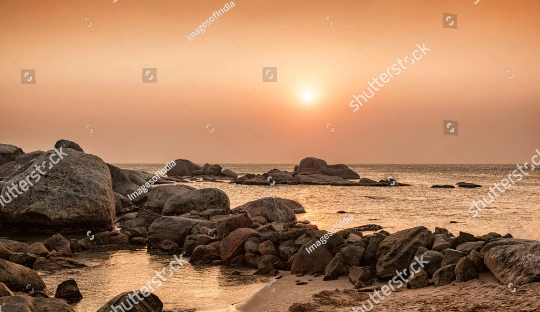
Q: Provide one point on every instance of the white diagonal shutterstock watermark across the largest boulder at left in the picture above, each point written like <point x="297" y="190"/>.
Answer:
<point x="33" y="176"/>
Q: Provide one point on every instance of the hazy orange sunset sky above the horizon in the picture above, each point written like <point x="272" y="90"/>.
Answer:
<point x="93" y="76"/>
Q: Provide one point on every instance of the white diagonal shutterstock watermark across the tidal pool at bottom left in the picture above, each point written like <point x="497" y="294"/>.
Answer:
<point x="145" y="290"/>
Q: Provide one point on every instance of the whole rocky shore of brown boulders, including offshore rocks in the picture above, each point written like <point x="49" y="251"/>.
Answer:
<point x="81" y="193"/>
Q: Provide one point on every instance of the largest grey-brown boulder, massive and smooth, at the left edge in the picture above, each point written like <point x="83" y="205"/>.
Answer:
<point x="76" y="193"/>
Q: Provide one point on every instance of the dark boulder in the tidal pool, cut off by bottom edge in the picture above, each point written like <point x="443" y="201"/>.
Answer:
<point x="128" y="302"/>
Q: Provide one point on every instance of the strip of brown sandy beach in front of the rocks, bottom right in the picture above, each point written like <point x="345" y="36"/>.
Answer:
<point x="484" y="294"/>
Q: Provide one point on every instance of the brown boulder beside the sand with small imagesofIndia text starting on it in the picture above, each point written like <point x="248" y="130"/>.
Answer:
<point x="312" y="261"/>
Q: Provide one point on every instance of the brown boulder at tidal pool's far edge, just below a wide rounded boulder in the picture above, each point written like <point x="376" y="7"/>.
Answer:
<point x="172" y="228"/>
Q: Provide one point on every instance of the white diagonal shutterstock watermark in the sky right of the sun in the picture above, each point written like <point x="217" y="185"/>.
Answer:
<point x="387" y="75"/>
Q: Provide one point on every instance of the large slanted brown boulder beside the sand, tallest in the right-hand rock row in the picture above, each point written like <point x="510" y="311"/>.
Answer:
<point x="397" y="251"/>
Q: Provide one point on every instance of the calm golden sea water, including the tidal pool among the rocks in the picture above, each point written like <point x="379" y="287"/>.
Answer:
<point x="209" y="288"/>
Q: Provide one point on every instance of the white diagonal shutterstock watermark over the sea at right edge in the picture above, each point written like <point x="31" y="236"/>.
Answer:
<point x="507" y="184"/>
